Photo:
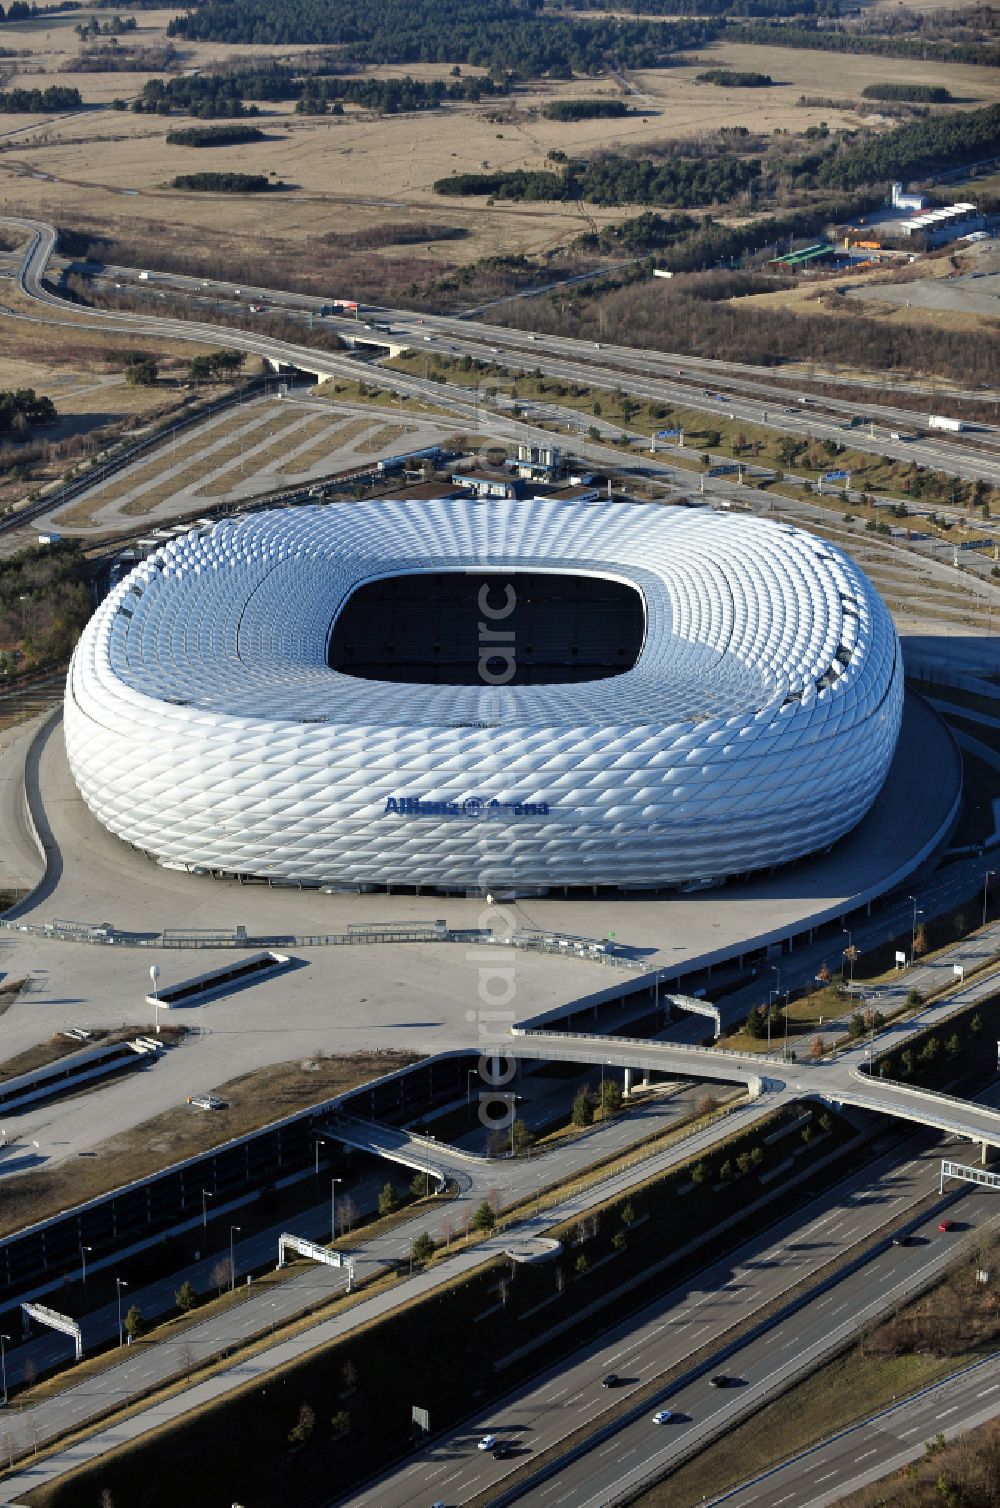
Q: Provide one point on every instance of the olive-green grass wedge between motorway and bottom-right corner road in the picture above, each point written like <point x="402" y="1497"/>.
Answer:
<point x="844" y="1391"/>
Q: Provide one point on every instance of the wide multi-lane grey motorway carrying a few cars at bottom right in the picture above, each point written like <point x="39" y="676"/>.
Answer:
<point x="670" y="1332"/>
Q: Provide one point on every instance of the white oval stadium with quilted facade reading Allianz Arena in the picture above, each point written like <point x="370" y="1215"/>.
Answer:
<point x="467" y="696"/>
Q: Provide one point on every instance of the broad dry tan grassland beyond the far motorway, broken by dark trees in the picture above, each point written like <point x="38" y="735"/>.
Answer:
<point x="357" y="171"/>
